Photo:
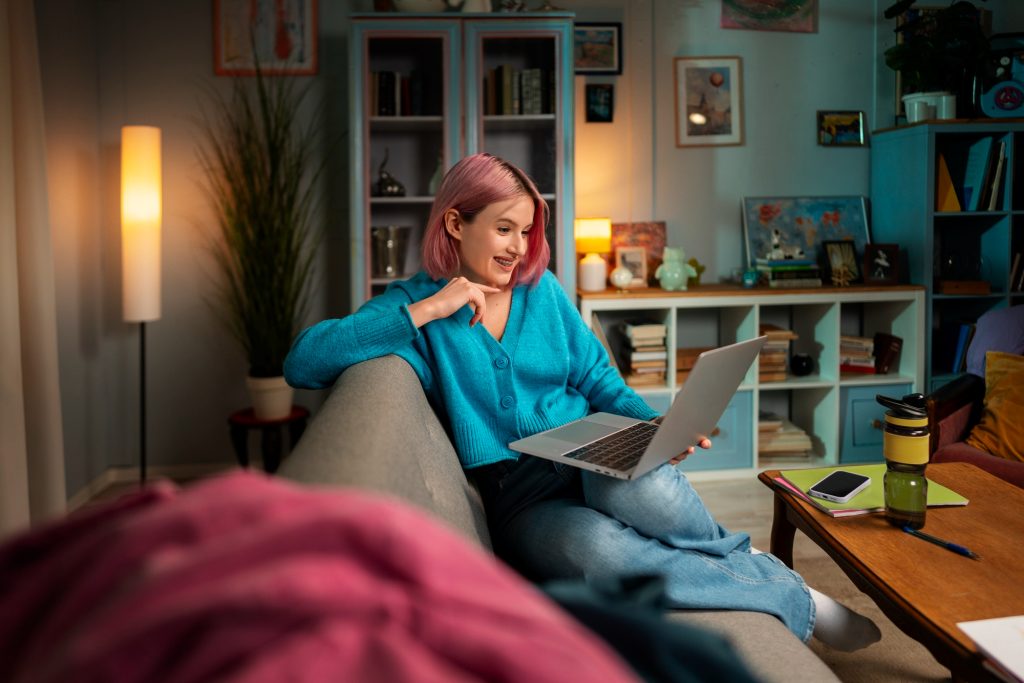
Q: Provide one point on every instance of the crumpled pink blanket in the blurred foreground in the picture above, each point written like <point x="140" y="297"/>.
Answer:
<point x="245" y="578"/>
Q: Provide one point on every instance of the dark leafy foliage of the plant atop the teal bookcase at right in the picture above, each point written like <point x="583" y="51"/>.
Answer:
<point x="940" y="52"/>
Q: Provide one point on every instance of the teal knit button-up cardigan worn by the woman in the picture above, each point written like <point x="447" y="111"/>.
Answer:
<point x="547" y="370"/>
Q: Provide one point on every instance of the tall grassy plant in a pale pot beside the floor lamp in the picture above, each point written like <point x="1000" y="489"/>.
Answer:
<point x="258" y="157"/>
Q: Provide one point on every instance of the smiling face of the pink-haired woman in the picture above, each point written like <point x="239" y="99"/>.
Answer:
<point x="492" y="246"/>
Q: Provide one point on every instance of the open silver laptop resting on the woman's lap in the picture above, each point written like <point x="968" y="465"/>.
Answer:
<point x="627" y="448"/>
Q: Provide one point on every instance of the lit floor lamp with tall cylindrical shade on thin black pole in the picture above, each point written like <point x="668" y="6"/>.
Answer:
<point x="141" y="224"/>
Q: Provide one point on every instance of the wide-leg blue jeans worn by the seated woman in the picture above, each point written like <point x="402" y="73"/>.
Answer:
<point x="551" y="522"/>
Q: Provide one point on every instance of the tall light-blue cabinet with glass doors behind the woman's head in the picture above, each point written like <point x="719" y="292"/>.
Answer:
<point x="429" y="90"/>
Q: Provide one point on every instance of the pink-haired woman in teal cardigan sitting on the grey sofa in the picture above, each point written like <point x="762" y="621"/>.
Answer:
<point x="503" y="354"/>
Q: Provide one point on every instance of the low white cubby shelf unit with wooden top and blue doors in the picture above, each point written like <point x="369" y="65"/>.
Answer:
<point x="837" y="410"/>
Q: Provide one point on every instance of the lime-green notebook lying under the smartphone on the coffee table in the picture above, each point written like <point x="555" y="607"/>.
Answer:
<point x="870" y="500"/>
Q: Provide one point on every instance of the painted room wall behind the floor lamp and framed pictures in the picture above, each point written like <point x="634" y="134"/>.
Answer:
<point x="110" y="63"/>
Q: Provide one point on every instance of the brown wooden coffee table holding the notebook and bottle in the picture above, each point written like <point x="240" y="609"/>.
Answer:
<point x="923" y="588"/>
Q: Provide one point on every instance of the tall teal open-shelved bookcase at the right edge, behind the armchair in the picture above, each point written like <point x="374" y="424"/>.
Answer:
<point x="963" y="258"/>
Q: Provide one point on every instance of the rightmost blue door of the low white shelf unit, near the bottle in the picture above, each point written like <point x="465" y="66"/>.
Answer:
<point x="863" y="419"/>
